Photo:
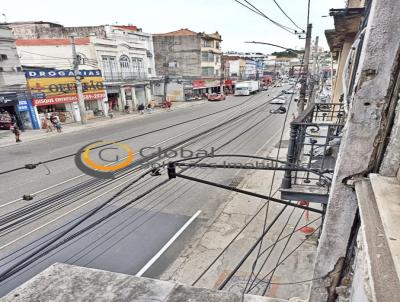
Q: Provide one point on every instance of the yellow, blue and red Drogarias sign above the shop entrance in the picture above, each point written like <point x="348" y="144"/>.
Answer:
<point x="50" y="87"/>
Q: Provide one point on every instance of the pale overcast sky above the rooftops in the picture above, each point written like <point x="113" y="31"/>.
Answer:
<point x="234" y="22"/>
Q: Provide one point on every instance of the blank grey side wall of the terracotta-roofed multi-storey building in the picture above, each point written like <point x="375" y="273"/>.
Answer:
<point x="184" y="50"/>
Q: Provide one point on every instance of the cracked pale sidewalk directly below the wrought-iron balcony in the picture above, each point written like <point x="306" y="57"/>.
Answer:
<point x="232" y="216"/>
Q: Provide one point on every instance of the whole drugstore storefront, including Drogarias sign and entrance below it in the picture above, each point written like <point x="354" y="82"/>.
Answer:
<point x="54" y="92"/>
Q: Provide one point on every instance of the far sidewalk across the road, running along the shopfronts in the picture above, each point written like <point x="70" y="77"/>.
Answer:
<point x="7" y="137"/>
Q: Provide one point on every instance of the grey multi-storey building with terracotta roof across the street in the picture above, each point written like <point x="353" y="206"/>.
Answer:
<point x="190" y="64"/>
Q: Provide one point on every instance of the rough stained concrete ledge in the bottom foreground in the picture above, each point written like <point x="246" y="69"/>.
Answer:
<point x="63" y="282"/>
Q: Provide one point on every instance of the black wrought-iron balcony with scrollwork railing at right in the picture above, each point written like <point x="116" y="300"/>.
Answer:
<point x="315" y="137"/>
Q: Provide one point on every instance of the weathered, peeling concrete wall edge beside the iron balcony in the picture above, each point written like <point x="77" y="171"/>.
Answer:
<point x="363" y="133"/>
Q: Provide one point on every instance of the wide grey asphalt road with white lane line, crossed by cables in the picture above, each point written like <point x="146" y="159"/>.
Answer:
<point x="127" y="240"/>
